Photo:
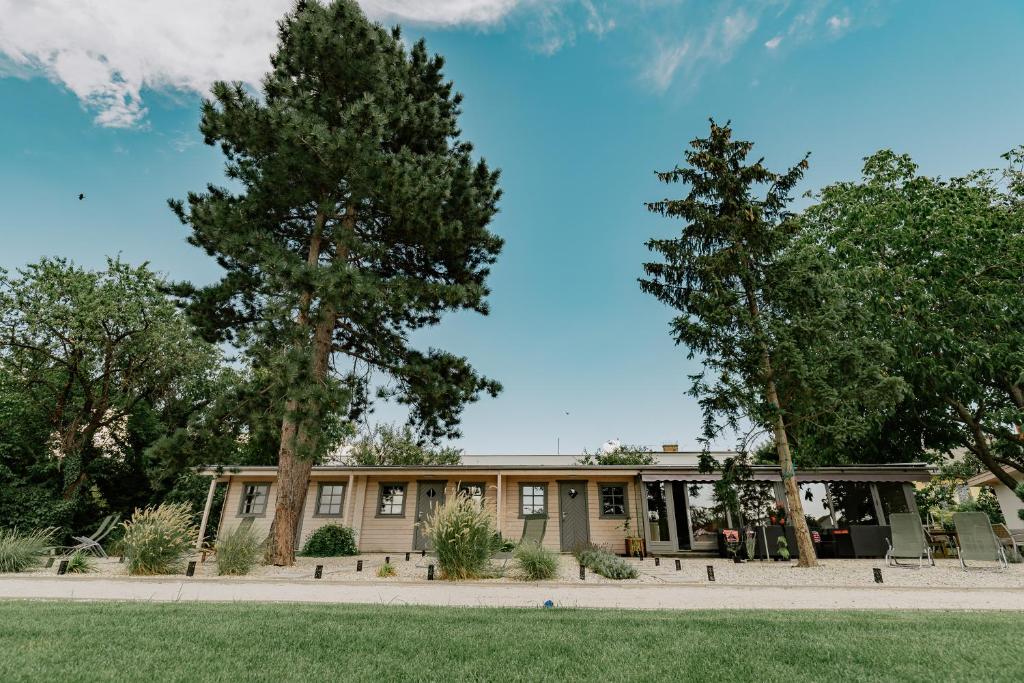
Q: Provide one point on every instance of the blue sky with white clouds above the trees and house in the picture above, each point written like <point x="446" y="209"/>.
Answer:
<point x="578" y="102"/>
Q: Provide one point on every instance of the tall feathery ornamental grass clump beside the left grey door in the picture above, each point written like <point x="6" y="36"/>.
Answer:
<point x="461" y="532"/>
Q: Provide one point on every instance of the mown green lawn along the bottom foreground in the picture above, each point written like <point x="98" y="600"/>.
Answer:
<point x="74" y="642"/>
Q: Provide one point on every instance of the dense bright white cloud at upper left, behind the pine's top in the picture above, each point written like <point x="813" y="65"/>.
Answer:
<point x="107" y="52"/>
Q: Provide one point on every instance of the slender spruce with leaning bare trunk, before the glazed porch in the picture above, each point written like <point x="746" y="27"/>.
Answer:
<point x="716" y="275"/>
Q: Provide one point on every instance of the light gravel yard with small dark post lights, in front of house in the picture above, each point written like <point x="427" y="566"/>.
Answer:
<point x="947" y="574"/>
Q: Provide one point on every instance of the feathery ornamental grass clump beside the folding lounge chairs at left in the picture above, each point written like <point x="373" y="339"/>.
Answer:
<point x="157" y="540"/>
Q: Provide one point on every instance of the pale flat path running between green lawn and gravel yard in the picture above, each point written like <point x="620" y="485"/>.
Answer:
<point x="695" y="596"/>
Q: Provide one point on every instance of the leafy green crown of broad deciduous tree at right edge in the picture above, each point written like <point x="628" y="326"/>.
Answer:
<point x="937" y="268"/>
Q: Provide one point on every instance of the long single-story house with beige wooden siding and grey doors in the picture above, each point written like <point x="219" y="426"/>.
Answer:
<point x="671" y="505"/>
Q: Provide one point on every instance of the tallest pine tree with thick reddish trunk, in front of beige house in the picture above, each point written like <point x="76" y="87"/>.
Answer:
<point x="357" y="217"/>
